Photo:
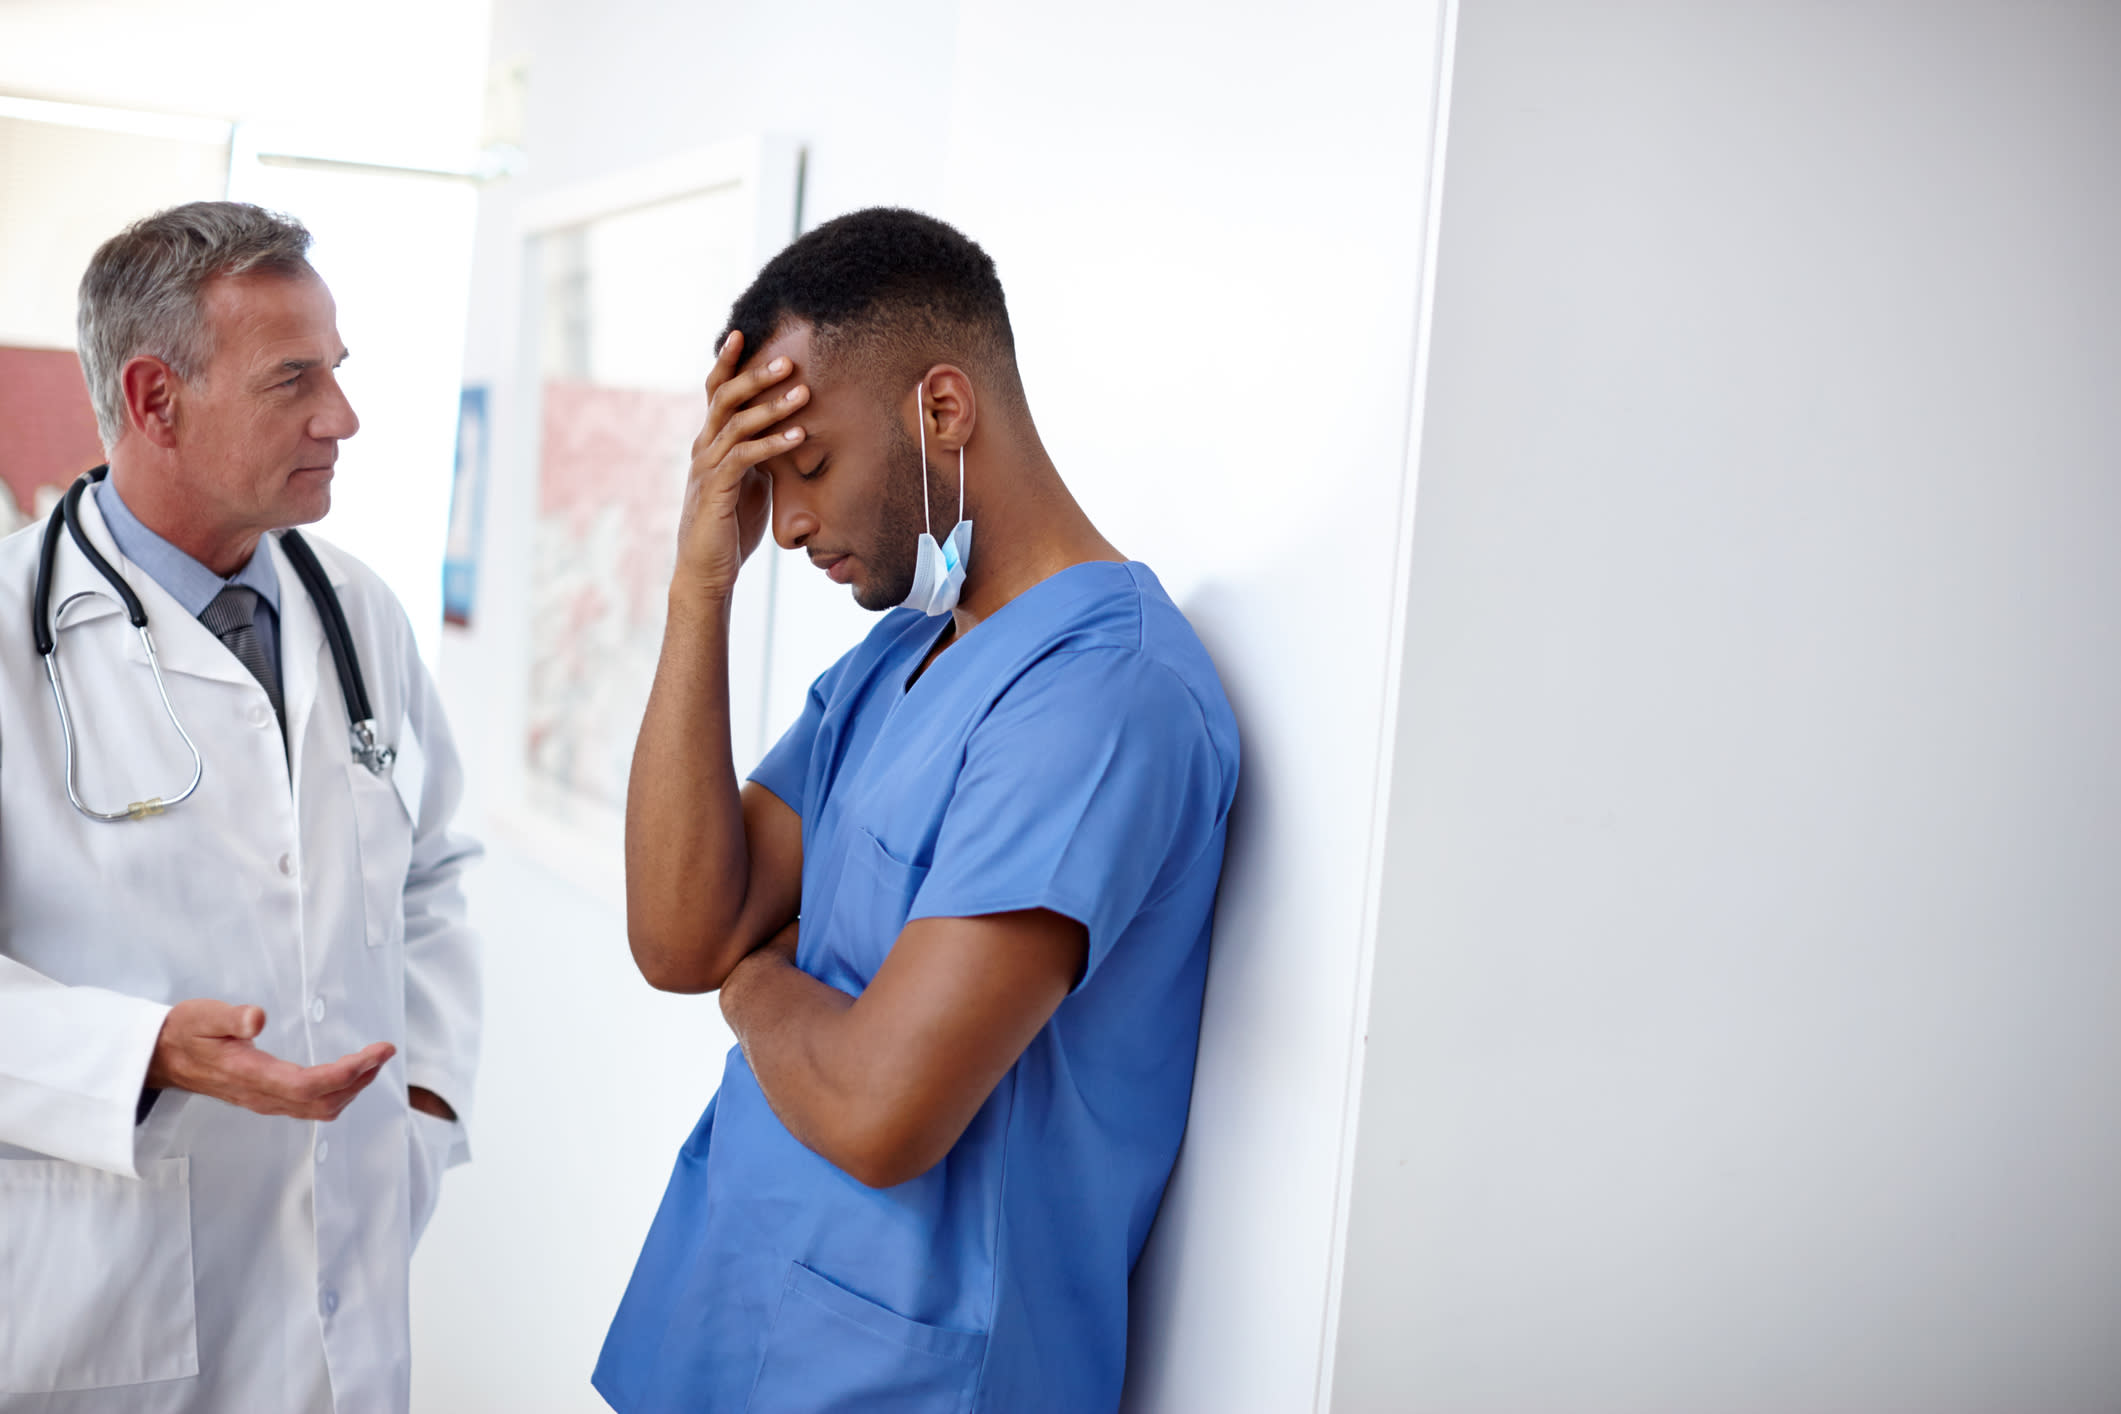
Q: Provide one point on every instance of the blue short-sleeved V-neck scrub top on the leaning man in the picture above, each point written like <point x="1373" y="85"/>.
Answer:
<point x="1072" y="754"/>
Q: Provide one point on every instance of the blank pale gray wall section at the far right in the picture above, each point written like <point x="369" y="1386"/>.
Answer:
<point x="1747" y="1019"/>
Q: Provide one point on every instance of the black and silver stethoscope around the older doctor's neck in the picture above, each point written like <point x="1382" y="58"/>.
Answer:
<point x="43" y="624"/>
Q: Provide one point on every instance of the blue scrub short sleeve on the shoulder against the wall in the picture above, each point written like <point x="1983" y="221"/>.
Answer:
<point x="1089" y="788"/>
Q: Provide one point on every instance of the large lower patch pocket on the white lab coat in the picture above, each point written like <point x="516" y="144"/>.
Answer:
<point x="94" y="1277"/>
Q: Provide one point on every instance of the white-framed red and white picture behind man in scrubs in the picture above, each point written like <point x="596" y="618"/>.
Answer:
<point x="631" y="281"/>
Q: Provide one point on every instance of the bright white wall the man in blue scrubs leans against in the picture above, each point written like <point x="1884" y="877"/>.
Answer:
<point x="1210" y="226"/>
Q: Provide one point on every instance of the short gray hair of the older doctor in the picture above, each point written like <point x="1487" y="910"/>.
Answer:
<point x="141" y="294"/>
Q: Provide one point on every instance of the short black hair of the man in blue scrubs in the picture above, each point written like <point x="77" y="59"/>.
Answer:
<point x="892" y="294"/>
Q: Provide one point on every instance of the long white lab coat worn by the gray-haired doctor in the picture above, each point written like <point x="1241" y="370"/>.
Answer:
<point x="213" y="1260"/>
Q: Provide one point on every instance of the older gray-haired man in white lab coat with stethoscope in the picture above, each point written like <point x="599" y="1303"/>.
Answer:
<point x="239" y="1000"/>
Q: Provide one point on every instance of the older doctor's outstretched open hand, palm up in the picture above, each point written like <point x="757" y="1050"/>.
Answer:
<point x="209" y="1048"/>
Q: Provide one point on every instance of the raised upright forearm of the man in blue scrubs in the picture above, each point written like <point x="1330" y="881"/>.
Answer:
<point x="686" y="858"/>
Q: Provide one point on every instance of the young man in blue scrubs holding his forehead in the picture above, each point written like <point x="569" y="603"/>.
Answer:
<point x="1000" y="819"/>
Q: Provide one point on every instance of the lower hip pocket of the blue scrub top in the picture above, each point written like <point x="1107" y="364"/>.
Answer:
<point x="832" y="1349"/>
